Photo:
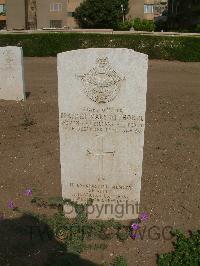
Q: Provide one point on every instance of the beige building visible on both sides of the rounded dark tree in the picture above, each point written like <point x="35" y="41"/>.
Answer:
<point x="41" y="14"/>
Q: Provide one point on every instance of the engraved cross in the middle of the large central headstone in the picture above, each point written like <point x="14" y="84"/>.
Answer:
<point x="101" y="154"/>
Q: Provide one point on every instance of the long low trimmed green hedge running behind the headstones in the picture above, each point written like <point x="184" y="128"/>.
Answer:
<point x="157" y="47"/>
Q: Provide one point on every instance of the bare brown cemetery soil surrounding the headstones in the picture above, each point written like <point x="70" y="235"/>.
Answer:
<point x="29" y="153"/>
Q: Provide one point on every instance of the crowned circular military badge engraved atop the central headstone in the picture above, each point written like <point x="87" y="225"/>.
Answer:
<point x="102" y="83"/>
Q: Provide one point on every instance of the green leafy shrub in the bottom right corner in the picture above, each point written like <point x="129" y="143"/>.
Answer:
<point x="186" y="251"/>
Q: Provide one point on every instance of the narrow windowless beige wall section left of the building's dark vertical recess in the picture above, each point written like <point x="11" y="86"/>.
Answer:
<point x="15" y="14"/>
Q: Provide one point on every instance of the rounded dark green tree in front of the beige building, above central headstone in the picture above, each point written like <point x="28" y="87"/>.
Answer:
<point x="101" y="13"/>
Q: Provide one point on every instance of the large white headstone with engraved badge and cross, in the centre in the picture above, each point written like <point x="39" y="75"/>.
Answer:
<point x="102" y="104"/>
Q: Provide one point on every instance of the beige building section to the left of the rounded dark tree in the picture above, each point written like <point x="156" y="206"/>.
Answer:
<point x="40" y="14"/>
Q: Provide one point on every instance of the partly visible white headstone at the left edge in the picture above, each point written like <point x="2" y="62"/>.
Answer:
<point x="11" y="73"/>
